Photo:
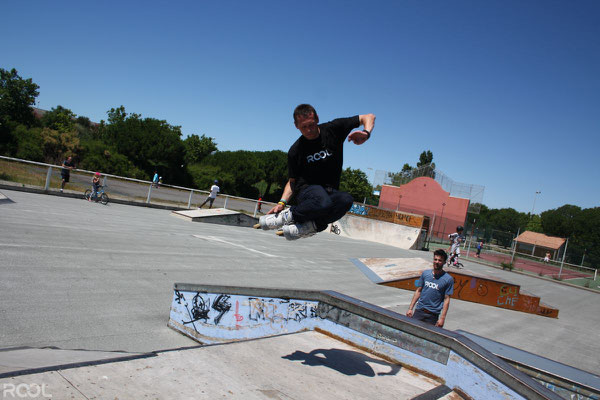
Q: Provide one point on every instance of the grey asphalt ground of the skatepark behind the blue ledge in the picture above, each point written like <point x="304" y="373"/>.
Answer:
<point x="79" y="275"/>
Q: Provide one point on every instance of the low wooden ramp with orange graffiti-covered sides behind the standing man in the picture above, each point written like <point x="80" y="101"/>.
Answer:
<point x="402" y="273"/>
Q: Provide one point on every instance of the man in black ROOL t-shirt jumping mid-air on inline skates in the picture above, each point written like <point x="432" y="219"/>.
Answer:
<point x="314" y="168"/>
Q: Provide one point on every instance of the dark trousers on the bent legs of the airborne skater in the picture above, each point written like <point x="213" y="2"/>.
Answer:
<point x="318" y="205"/>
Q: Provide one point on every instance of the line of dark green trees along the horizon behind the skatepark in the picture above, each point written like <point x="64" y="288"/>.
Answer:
<point x="128" y="144"/>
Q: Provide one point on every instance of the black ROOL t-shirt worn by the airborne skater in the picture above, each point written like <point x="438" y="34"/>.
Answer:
<point x="319" y="161"/>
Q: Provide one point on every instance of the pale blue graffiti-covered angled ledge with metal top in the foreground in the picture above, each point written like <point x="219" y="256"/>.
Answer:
<point x="223" y="314"/>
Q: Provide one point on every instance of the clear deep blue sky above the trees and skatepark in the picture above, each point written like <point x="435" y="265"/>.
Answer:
<point x="506" y="94"/>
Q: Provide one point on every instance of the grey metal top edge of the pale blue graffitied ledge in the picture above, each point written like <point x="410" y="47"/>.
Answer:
<point x="493" y="365"/>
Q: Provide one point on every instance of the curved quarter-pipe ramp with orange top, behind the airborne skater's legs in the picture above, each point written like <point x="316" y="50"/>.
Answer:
<point x="389" y="227"/>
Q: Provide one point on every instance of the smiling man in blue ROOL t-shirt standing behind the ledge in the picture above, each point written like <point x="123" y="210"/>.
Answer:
<point x="432" y="297"/>
